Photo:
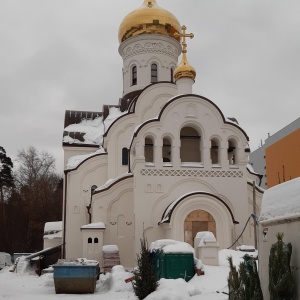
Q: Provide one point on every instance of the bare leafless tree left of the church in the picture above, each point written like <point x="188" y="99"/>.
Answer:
<point x="37" y="183"/>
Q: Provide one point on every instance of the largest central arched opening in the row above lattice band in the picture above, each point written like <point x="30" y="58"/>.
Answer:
<point x="190" y="145"/>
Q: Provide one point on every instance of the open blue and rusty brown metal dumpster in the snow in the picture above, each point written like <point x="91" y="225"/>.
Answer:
<point x="76" y="276"/>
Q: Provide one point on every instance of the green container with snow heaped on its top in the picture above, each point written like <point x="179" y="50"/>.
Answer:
<point x="174" y="265"/>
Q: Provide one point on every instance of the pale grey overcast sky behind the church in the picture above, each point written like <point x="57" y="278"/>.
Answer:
<point x="55" y="54"/>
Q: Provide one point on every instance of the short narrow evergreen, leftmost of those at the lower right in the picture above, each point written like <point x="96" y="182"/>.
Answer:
<point x="235" y="284"/>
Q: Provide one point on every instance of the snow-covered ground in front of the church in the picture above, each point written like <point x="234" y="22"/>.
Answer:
<point x="113" y="287"/>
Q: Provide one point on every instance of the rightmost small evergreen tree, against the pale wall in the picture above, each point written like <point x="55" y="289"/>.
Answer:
<point x="281" y="283"/>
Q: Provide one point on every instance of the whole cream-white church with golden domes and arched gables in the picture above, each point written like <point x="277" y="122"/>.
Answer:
<point x="163" y="161"/>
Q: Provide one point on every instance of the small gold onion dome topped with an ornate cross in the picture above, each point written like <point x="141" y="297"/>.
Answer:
<point x="184" y="69"/>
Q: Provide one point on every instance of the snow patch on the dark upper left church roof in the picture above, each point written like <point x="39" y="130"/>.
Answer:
<point x="93" y="131"/>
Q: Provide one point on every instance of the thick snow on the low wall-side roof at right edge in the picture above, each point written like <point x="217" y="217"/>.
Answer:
<point x="281" y="201"/>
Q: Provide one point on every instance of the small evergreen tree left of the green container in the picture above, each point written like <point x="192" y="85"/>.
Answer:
<point x="145" y="278"/>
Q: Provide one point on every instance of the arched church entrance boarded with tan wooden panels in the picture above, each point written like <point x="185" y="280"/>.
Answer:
<point x="198" y="220"/>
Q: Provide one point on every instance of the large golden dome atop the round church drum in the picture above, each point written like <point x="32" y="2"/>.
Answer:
<point x="149" y="19"/>
